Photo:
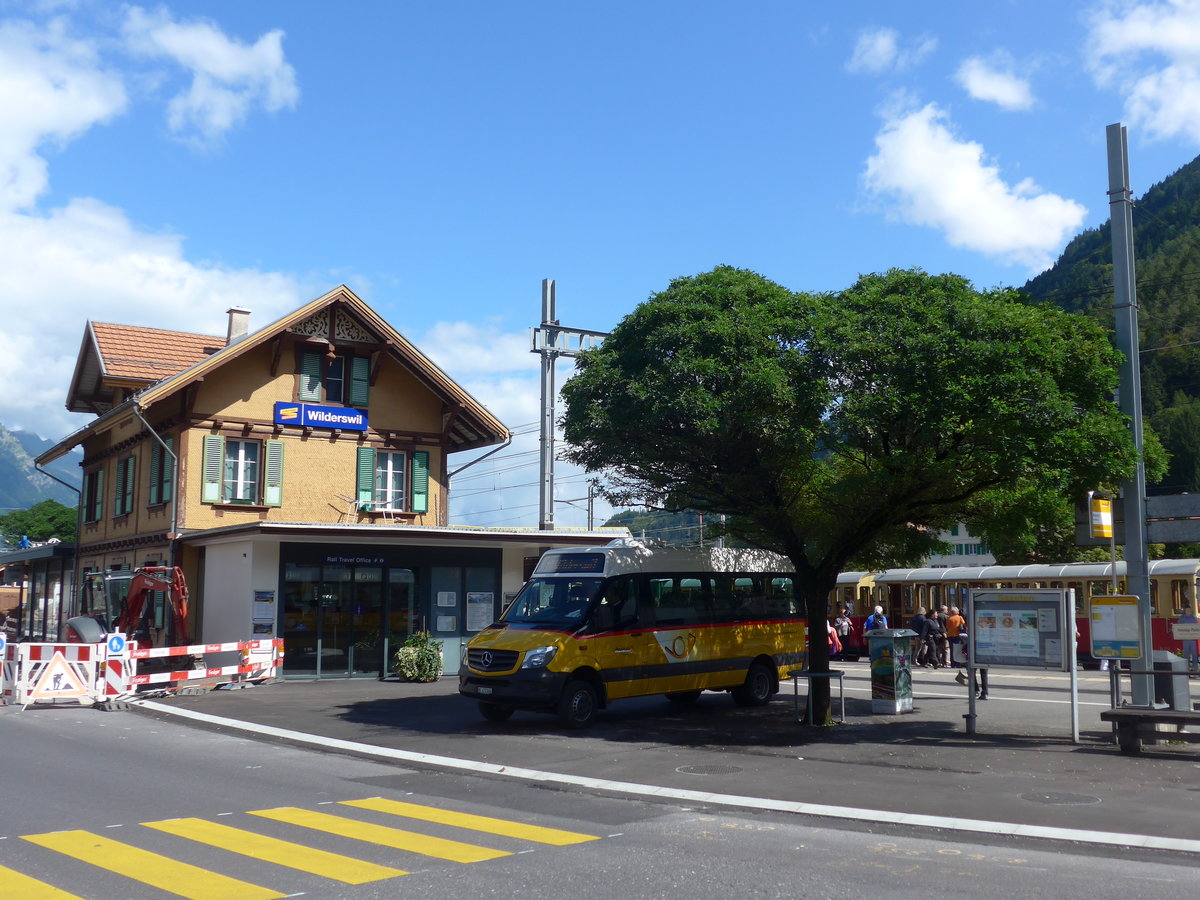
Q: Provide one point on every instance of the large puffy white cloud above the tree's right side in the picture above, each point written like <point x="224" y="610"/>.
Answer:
<point x="938" y="181"/>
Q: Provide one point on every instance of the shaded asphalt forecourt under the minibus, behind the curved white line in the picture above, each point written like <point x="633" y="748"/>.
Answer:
<point x="1021" y="769"/>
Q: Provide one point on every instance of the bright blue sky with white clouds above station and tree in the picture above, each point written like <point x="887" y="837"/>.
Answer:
<point x="163" y="163"/>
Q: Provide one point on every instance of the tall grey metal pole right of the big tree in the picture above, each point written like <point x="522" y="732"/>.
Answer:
<point x="1125" y="310"/>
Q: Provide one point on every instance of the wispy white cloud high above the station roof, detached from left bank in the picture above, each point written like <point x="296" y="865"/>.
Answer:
<point x="230" y="79"/>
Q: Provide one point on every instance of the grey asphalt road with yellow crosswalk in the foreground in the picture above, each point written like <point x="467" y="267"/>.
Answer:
<point x="140" y="789"/>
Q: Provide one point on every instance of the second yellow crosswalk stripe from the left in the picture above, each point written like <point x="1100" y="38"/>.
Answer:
<point x="170" y="875"/>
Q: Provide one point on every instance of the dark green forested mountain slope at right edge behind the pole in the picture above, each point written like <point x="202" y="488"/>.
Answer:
<point x="1167" y="249"/>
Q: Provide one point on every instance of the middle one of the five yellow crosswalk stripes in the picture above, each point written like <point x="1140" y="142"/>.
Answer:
<point x="273" y="850"/>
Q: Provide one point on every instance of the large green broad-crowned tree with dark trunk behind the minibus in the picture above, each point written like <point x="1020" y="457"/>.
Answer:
<point x="844" y="430"/>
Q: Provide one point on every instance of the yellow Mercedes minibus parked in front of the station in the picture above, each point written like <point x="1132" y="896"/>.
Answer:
<point x="598" y="625"/>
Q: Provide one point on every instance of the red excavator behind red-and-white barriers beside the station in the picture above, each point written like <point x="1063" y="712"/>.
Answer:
<point x="148" y="605"/>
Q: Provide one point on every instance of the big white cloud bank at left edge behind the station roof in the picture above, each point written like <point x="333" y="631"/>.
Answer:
<point x="85" y="260"/>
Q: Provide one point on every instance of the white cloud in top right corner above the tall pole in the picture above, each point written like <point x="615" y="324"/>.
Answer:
<point x="1151" y="53"/>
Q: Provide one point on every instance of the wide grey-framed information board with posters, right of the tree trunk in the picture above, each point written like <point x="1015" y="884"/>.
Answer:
<point x="1023" y="629"/>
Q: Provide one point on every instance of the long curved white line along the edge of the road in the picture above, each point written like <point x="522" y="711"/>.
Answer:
<point x="943" y="824"/>
